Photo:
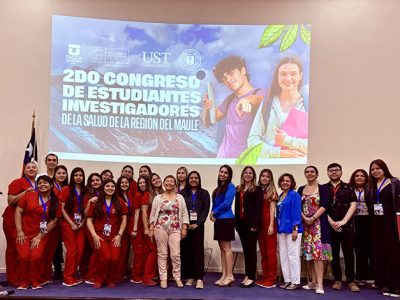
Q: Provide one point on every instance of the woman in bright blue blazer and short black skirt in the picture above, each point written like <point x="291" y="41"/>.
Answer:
<point x="224" y="222"/>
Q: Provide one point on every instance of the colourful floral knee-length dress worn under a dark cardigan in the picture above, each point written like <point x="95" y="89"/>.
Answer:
<point x="312" y="247"/>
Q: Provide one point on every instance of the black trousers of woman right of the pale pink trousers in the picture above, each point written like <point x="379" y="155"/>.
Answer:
<point x="192" y="254"/>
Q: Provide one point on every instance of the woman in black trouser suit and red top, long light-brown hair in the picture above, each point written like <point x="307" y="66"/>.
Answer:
<point x="248" y="212"/>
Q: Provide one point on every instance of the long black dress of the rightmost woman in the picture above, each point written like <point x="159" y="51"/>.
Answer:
<point x="385" y="239"/>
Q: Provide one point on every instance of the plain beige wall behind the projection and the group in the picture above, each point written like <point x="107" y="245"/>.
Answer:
<point x="354" y="74"/>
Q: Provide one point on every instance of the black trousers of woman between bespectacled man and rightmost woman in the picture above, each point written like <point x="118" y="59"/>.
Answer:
<point x="363" y="247"/>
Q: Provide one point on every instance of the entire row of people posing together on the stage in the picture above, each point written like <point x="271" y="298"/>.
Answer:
<point x="162" y="221"/>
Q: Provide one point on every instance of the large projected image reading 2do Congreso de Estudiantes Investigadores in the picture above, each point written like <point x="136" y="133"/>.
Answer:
<point x="179" y="93"/>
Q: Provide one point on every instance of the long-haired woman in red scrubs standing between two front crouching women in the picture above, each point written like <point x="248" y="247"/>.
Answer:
<point x="72" y="224"/>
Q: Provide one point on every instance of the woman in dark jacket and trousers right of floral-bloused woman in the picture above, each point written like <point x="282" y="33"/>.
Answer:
<point x="197" y="202"/>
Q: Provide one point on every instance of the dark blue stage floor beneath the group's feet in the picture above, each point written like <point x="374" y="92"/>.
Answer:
<point x="127" y="290"/>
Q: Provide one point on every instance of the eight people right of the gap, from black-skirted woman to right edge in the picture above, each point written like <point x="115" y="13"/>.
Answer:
<point x="316" y="222"/>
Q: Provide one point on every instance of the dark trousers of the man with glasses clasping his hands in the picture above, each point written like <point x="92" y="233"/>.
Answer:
<point x="344" y="239"/>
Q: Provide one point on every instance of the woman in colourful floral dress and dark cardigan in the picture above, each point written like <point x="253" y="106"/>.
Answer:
<point x="316" y="246"/>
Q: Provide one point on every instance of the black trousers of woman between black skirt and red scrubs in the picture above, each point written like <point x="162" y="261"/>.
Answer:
<point x="248" y="239"/>
